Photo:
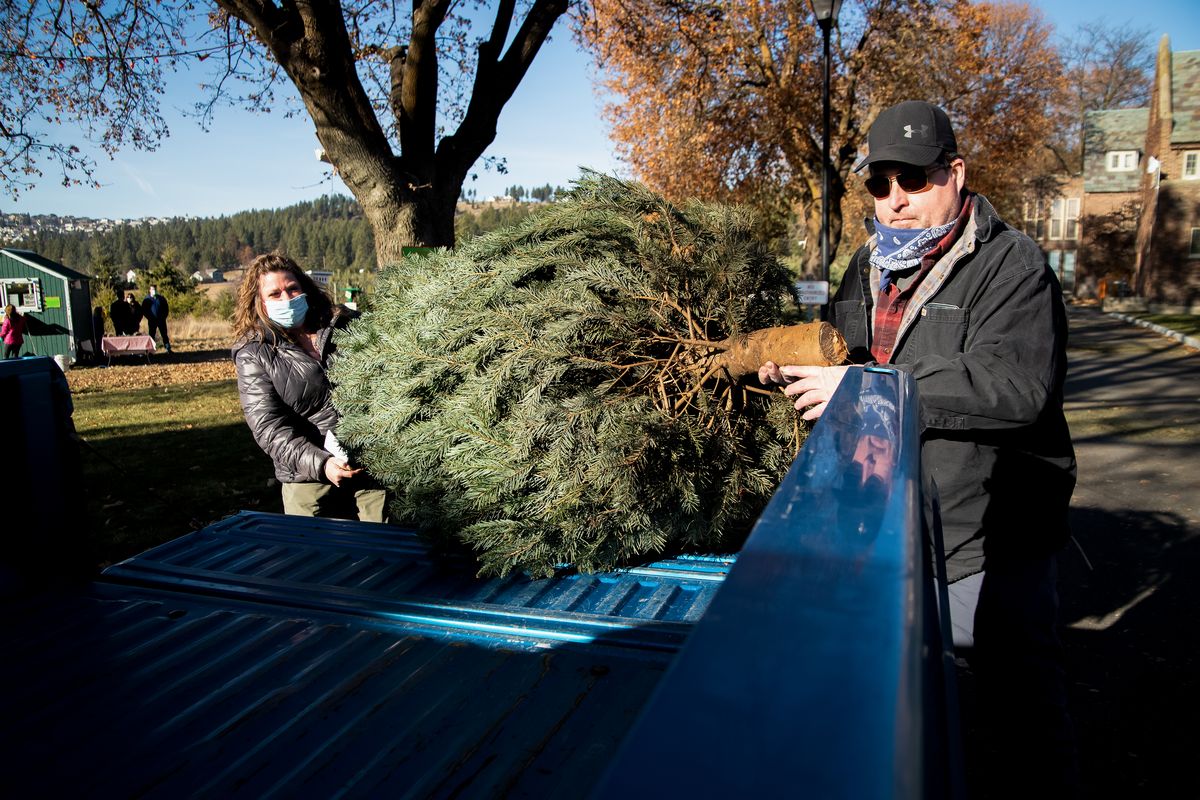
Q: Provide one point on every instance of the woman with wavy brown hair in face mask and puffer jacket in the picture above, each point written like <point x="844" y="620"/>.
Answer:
<point x="284" y="328"/>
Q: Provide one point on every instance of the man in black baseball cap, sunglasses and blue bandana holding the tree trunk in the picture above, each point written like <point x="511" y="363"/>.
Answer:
<point x="946" y="291"/>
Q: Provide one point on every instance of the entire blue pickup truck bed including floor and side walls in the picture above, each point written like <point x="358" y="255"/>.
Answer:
<point x="295" y="658"/>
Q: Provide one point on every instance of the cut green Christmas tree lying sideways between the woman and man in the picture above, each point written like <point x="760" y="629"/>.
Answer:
<point x="579" y="390"/>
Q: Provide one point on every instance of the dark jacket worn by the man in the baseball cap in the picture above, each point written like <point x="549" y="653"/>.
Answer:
<point x="986" y="338"/>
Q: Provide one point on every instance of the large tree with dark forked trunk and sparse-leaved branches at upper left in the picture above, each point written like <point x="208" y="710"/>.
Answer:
<point x="377" y="79"/>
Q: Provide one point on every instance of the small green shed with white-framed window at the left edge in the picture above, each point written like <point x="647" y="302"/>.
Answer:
<point x="55" y="299"/>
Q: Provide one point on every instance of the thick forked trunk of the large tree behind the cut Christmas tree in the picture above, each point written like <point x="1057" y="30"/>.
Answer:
<point x="409" y="197"/>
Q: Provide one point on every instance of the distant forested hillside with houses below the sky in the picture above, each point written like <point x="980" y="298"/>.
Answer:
<point x="326" y="234"/>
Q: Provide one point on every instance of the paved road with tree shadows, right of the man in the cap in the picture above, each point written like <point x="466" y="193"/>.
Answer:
<point x="1132" y="596"/>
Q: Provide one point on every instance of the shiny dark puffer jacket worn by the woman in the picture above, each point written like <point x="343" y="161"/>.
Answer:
<point x="289" y="401"/>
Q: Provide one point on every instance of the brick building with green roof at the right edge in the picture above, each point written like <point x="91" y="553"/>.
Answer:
<point x="1132" y="220"/>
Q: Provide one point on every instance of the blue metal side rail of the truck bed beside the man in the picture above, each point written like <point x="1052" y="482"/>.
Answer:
<point x="820" y="669"/>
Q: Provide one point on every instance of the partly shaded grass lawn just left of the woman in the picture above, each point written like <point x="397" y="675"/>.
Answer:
<point x="163" y="461"/>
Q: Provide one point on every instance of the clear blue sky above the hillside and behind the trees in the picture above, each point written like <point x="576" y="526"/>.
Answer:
<point x="549" y="130"/>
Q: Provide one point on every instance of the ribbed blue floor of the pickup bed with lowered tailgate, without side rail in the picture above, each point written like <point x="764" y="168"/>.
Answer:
<point x="283" y="657"/>
